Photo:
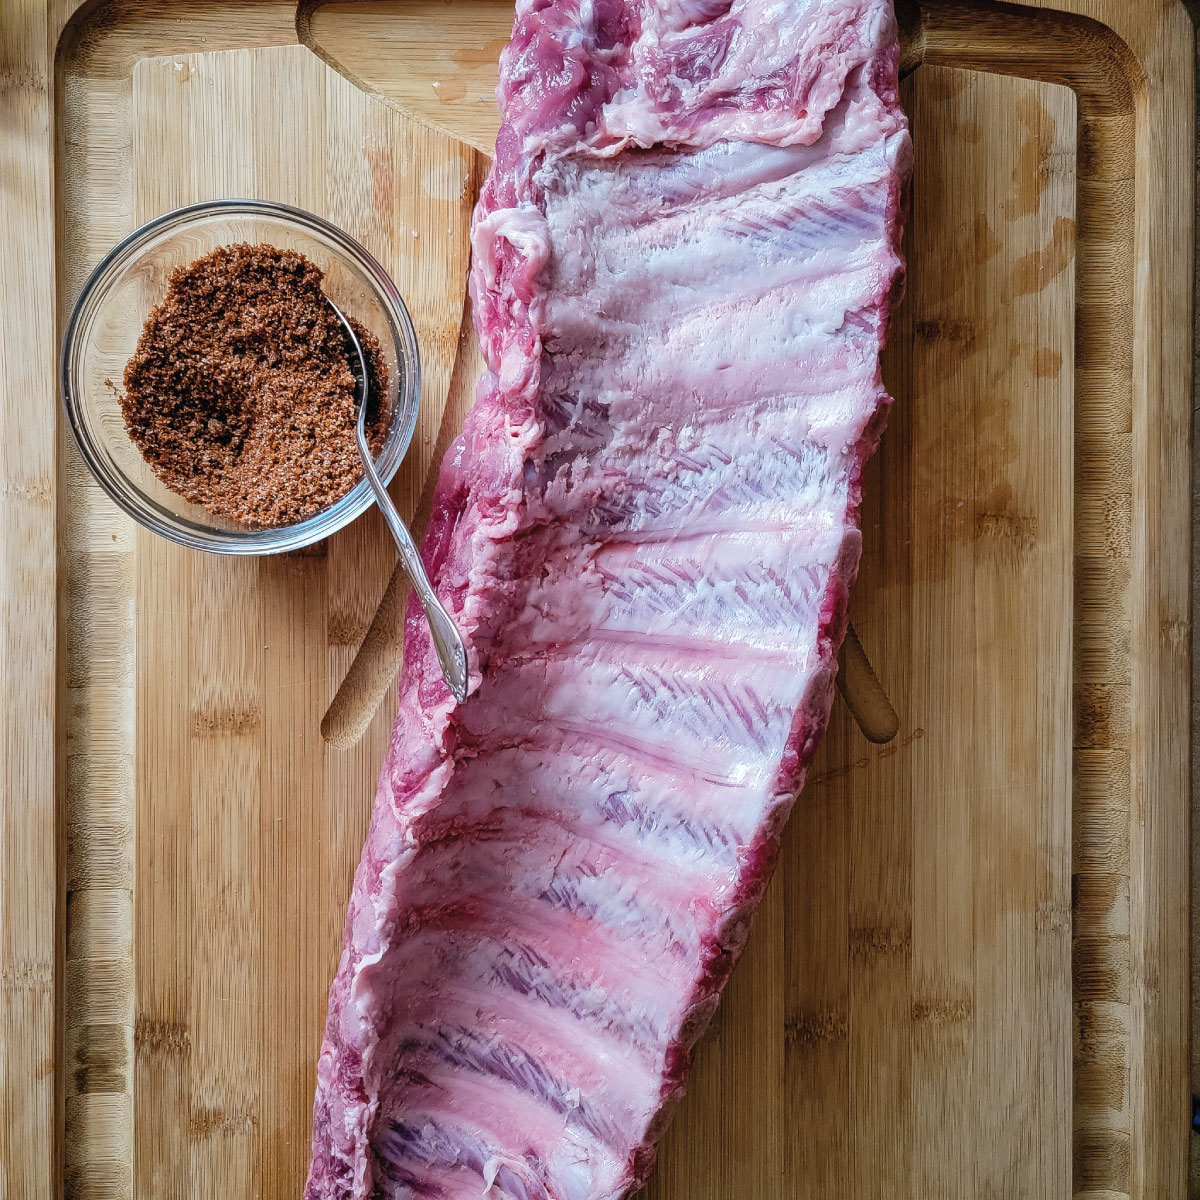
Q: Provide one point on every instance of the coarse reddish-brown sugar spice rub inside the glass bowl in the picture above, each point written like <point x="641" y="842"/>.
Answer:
<point x="241" y="394"/>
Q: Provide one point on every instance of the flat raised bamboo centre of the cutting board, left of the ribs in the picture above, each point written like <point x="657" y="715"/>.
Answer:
<point x="225" y="1036"/>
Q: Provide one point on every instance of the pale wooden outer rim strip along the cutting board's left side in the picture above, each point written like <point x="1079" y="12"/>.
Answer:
<point x="29" y="917"/>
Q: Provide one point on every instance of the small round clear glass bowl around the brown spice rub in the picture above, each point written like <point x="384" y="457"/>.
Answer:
<point x="107" y="320"/>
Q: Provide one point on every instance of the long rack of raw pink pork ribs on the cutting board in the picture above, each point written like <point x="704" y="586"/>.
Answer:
<point x="685" y="261"/>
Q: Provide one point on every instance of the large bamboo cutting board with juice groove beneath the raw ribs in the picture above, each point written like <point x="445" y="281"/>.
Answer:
<point x="971" y="976"/>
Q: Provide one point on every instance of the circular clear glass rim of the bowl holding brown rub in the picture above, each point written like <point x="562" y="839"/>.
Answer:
<point x="274" y="541"/>
